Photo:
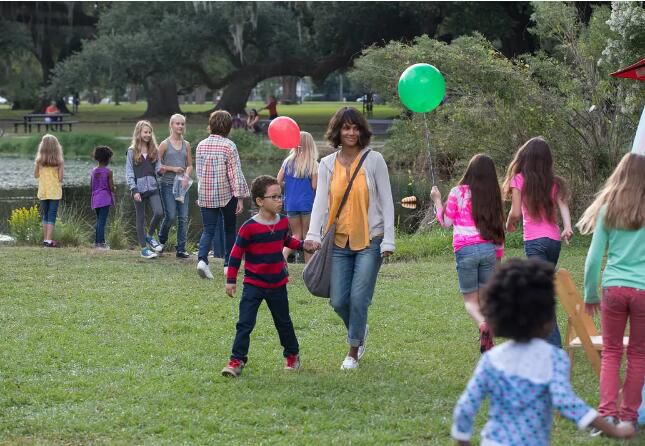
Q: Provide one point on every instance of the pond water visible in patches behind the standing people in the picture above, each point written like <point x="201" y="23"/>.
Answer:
<point x="18" y="189"/>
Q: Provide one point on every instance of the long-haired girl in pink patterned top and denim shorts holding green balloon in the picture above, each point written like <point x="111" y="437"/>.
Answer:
<point x="474" y="209"/>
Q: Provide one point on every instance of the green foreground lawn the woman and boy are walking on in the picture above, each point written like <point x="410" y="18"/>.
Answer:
<point x="108" y="348"/>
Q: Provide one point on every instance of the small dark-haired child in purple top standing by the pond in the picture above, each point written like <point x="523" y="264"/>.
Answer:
<point x="102" y="187"/>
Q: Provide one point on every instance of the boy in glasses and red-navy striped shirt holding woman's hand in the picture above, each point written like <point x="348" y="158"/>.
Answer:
<point x="260" y="241"/>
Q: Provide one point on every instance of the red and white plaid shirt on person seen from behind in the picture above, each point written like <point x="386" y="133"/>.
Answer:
<point x="219" y="173"/>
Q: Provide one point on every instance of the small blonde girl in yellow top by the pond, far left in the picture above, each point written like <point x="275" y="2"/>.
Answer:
<point x="49" y="172"/>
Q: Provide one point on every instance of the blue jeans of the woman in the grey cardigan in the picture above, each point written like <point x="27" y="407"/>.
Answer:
<point x="353" y="278"/>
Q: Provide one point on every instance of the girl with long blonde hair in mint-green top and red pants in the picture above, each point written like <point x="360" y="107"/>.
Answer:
<point x="617" y="219"/>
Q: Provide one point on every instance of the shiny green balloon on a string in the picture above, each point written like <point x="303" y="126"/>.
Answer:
<point x="421" y="87"/>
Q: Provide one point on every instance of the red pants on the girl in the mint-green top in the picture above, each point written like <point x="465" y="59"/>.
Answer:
<point x="619" y="304"/>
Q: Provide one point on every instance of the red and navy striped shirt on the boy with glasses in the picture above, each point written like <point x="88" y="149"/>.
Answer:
<point x="261" y="246"/>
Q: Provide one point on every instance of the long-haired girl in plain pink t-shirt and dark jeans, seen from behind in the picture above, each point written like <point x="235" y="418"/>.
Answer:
<point x="536" y="193"/>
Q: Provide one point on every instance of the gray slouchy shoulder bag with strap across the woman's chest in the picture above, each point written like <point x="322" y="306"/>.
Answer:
<point x="317" y="273"/>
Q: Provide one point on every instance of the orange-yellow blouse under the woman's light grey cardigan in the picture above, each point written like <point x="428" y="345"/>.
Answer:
<point x="352" y="224"/>
